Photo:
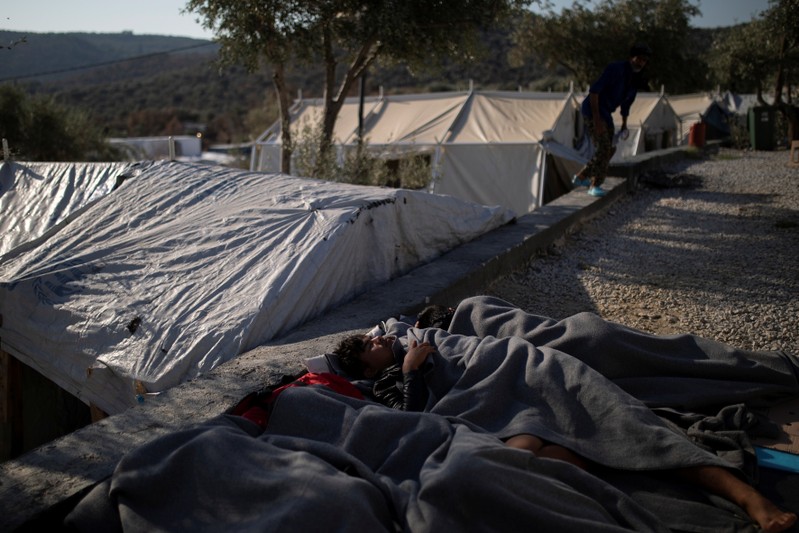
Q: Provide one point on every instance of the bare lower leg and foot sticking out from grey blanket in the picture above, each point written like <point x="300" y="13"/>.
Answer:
<point x="725" y="484"/>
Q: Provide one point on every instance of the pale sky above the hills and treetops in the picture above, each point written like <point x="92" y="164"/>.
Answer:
<point x="163" y="17"/>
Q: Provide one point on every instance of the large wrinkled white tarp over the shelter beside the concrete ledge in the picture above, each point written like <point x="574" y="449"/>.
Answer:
<point x="186" y="266"/>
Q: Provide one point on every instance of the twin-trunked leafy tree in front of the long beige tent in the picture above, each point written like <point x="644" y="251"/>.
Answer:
<point x="346" y="37"/>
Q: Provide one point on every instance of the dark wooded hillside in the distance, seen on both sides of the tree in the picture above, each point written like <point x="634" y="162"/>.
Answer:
<point x="145" y="84"/>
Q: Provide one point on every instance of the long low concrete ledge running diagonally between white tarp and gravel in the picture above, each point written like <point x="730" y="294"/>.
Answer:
<point x="40" y="487"/>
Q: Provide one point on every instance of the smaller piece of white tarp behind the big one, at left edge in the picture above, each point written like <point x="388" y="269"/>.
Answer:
<point x="36" y="196"/>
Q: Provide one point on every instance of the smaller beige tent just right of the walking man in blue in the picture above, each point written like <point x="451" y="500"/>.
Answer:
<point x="652" y="124"/>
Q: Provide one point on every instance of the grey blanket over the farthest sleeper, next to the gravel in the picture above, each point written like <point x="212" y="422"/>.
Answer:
<point x="684" y="372"/>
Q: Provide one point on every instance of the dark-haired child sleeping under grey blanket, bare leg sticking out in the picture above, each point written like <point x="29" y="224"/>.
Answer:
<point x="399" y="383"/>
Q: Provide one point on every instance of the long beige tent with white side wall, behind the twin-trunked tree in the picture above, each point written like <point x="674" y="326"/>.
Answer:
<point x="486" y="147"/>
